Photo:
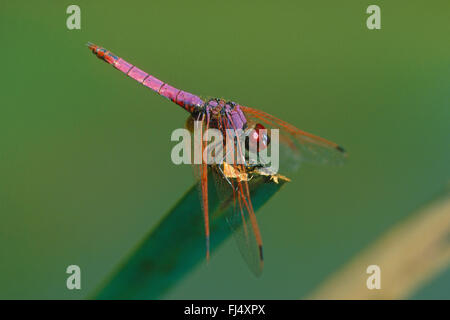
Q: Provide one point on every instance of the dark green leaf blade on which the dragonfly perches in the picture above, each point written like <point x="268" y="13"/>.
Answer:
<point x="177" y="244"/>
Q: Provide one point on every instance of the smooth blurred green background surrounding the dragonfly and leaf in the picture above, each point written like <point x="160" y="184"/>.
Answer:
<point x="85" y="166"/>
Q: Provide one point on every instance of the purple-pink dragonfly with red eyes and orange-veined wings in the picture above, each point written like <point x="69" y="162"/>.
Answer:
<point x="233" y="179"/>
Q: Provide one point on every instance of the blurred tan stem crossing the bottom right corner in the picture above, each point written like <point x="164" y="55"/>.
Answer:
<point x="408" y="255"/>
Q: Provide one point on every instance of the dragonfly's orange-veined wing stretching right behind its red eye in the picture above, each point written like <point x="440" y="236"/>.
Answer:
<point x="301" y="145"/>
